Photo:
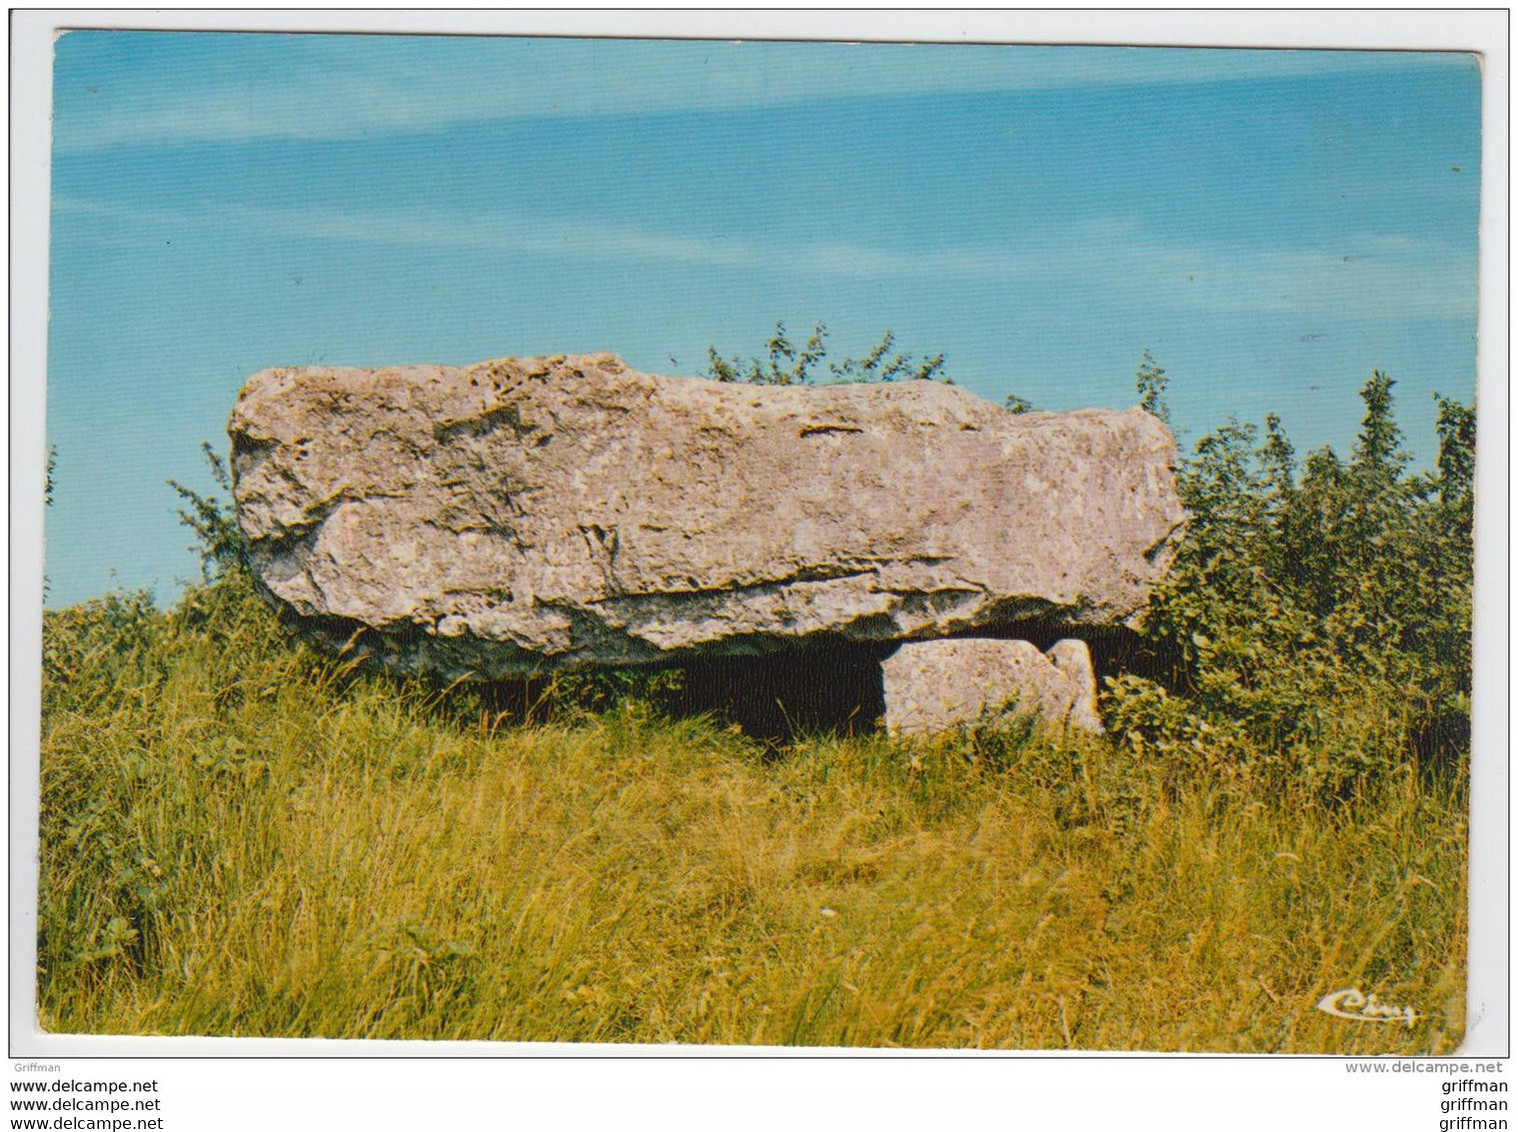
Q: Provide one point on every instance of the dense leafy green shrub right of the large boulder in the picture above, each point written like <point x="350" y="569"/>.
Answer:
<point x="1317" y="623"/>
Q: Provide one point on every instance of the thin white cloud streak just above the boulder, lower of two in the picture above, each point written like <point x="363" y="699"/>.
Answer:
<point x="1367" y="278"/>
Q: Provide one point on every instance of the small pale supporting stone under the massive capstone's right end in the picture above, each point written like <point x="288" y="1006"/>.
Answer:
<point x="939" y="685"/>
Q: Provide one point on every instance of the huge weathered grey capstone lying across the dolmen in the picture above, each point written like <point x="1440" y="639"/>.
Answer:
<point x="540" y="514"/>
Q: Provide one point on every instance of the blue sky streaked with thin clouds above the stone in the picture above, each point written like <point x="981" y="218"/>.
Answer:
<point x="1271" y="225"/>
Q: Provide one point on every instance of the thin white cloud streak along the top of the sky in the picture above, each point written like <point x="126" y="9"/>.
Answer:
<point x="320" y="89"/>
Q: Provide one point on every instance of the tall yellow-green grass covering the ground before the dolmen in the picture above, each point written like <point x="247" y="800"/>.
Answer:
<point x="241" y="838"/>
